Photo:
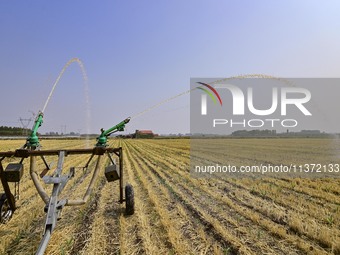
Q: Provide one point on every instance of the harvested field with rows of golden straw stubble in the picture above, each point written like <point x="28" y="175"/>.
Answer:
<point x="178" y="214"/>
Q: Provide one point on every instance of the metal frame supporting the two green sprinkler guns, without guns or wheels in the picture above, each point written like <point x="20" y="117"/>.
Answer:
<point x="53" y="205"/>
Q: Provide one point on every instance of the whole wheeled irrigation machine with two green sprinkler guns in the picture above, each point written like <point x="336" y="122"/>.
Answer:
<point x="58" y="179"/>
